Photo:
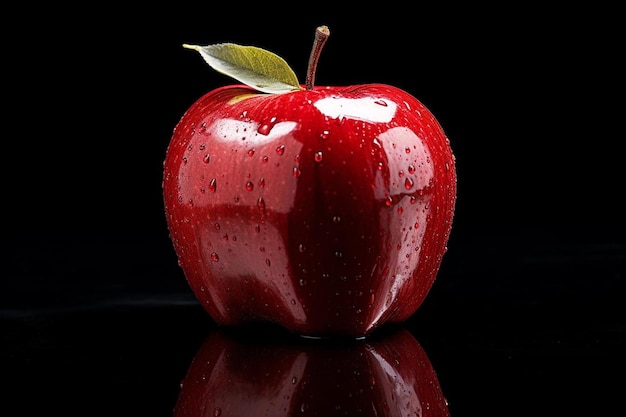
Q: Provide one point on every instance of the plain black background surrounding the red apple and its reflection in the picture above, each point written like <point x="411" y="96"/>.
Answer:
<point x="527" y="313"/>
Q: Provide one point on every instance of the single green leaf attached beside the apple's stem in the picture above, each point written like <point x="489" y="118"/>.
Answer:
<point x="255" y="67"/>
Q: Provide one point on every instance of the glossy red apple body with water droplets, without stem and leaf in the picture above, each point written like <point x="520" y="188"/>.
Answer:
<point x="326" y="211"/>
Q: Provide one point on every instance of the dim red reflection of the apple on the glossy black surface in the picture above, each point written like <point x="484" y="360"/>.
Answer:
<point x="234" y="374"/>
